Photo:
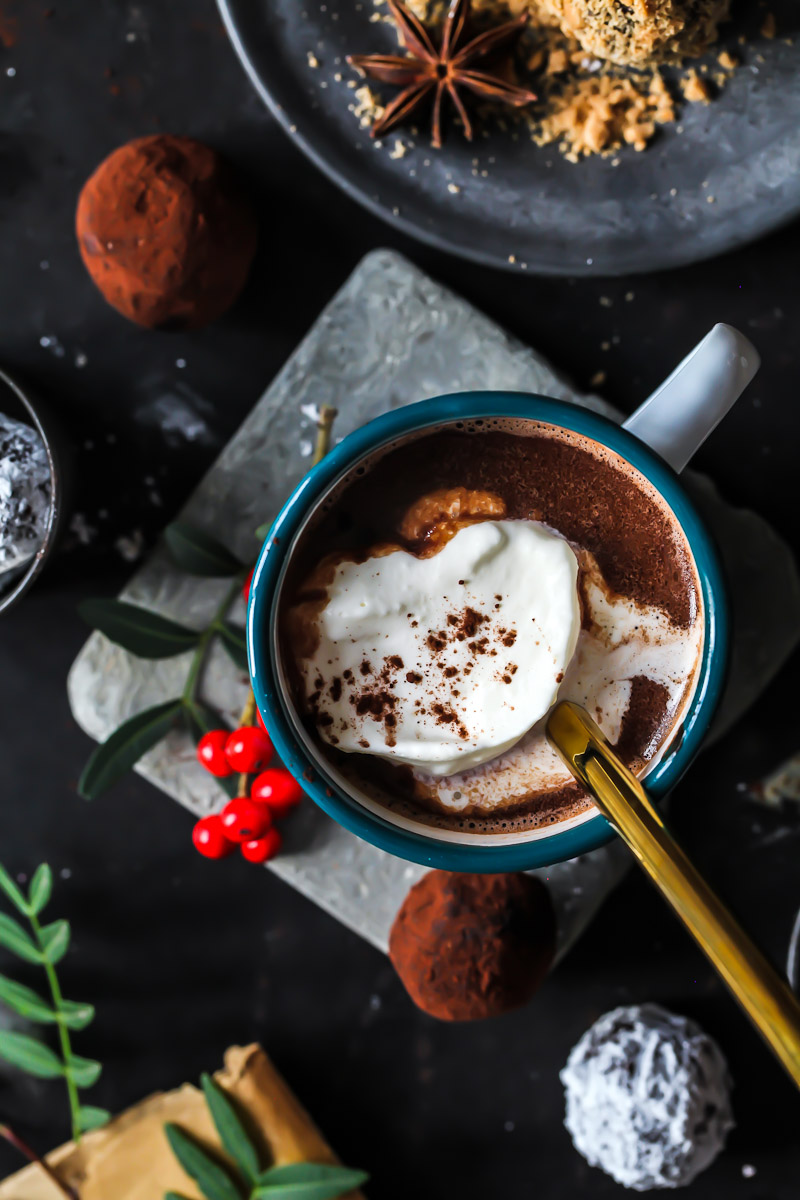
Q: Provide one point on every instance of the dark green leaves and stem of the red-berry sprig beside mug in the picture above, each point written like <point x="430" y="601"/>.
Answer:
<point x="149" y="635"/>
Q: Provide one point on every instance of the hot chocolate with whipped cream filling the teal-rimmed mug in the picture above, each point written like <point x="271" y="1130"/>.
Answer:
<point x="634" y="664"/>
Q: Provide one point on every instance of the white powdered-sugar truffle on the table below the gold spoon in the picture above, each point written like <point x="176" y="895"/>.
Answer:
<point x="647" y="1097"/>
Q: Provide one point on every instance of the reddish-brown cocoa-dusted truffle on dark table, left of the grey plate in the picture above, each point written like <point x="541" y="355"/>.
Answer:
<point x="166" y="232"/>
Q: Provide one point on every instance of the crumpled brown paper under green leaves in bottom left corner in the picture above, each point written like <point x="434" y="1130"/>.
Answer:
<point x="130" y="1159"/>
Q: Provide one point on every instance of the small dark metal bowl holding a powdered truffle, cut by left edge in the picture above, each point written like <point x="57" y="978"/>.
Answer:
<point x="21" y="406"/>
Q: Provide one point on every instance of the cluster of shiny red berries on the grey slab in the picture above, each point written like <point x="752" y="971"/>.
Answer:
<point x="246" y="821"/>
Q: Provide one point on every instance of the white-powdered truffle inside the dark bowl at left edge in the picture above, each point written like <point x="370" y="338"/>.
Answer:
<point x="25" y="493"/>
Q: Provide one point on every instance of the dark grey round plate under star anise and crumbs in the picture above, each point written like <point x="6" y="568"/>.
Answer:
<point x="731" y="176"/>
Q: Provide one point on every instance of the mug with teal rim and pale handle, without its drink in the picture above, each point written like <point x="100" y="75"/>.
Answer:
<point x="658" y="441"/>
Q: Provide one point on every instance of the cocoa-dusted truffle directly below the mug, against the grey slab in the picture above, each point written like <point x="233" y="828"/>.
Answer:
<point x="473" y="946"/>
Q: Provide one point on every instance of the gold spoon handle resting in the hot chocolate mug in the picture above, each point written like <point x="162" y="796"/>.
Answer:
<point x="765" y="997"/>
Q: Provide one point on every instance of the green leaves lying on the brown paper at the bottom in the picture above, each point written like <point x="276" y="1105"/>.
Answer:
<point x="248" y="1180"/>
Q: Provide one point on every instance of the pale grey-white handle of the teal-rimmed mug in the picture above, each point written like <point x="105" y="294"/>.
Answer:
<point x="677" y="419"/>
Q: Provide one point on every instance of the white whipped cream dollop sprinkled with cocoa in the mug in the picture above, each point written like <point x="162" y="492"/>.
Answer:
<point x="443" y="663"/>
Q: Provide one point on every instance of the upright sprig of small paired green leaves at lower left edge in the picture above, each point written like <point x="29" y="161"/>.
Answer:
<point x="45" y="946"/>
